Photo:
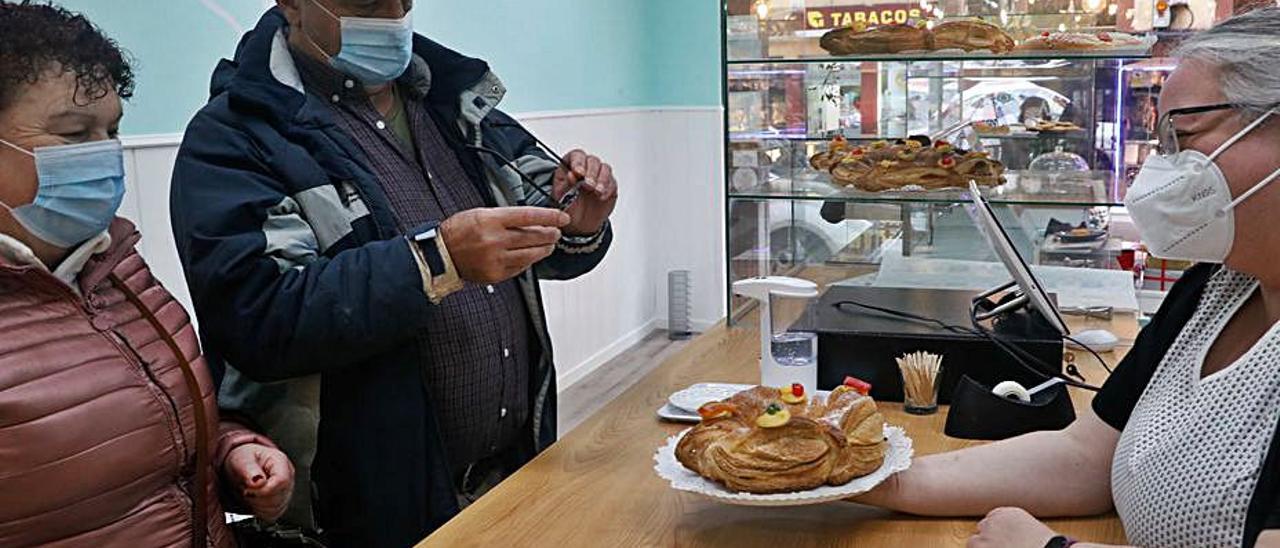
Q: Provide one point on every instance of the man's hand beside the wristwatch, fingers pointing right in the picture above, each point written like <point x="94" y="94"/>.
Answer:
<point x="496" y="245"/>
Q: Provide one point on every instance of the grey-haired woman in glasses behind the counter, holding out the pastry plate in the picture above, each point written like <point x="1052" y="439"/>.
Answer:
<point x="1182" y="441"/>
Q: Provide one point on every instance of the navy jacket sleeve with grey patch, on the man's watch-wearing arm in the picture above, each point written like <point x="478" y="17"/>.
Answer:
<point x="267" y="299"/>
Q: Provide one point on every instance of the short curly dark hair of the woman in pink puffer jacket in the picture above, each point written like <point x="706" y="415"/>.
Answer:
<point x="36" y="38"/>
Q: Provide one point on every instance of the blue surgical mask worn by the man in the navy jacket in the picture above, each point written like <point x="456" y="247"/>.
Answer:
<point x="374" y="52"/>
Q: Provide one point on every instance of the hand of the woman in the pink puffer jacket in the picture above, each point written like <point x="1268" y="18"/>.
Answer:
<point x="263" y="477"/>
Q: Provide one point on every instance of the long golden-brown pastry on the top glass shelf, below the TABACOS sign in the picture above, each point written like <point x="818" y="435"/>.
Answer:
<point x="968" y="35"/>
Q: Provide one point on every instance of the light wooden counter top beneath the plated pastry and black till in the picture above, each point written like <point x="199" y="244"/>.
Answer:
<point x="597" y="487"/>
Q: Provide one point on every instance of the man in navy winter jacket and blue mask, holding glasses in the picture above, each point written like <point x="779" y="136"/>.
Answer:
<point x="363" y="234"/>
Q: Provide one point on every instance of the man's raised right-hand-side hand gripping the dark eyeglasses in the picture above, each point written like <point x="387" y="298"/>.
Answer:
<point x="597" y="198"/>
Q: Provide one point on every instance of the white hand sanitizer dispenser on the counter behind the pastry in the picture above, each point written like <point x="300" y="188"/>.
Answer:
<point x="787" y="357"/>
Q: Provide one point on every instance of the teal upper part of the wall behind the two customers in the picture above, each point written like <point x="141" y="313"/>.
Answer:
<point x="552" y="54"/>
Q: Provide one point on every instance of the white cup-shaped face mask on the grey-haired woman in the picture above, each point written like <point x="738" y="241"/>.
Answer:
<point x="1183" y="207"/>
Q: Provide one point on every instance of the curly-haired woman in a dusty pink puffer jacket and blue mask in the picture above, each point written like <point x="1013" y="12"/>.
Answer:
<point x="100" y="444"/>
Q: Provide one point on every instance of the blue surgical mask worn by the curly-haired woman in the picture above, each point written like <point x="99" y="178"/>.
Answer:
<point x="81" y="189"/>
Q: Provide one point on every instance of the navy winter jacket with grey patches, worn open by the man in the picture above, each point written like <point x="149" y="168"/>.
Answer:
<point x="309" y="299"/>
